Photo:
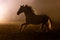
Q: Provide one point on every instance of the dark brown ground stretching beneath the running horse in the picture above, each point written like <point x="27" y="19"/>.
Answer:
<point x="12" y="32"/>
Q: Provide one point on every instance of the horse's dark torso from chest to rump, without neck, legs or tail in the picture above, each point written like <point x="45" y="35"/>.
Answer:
<point x="37" y="19"/>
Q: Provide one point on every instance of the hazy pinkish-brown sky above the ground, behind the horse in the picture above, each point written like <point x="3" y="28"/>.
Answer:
<point x="9" y="8"/>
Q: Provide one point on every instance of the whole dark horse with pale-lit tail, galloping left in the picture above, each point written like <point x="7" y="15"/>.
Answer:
<point x="31" y="18"/>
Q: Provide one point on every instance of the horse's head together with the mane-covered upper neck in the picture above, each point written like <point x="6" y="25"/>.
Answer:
<point x="27" y="9"/>
